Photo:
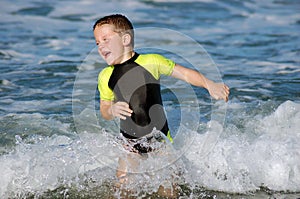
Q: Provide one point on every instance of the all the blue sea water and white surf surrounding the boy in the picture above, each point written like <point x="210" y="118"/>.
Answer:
<point x="54" y="143"/>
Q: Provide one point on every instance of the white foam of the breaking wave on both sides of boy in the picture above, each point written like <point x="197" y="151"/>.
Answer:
<point x="238" y="162"/>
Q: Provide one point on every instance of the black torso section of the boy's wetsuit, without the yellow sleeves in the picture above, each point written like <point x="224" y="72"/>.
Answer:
<point x="133" y="84"/>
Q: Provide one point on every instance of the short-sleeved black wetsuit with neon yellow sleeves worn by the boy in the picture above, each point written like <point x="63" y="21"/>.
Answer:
<point x="136" y="82"/>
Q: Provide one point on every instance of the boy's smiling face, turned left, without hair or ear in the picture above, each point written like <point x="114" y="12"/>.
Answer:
<point x="110" y="44"/>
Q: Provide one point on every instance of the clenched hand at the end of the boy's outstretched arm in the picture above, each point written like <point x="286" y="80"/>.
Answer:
<point x="218" y="91"/>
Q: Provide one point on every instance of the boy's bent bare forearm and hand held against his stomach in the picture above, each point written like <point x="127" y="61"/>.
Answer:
<point x="109" y="110"/>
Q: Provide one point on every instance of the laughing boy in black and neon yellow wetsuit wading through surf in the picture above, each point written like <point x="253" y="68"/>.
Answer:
<point x="129" y="87"/>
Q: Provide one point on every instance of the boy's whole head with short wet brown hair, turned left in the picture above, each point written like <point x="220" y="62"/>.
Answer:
<point x="114" y="36"/>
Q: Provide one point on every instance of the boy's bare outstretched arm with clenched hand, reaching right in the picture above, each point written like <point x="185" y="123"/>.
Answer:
<point x="216" y="90"/>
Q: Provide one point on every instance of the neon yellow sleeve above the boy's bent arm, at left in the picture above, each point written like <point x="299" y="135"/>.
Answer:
<point x="105" y="92"/>
